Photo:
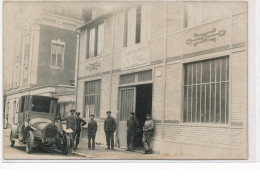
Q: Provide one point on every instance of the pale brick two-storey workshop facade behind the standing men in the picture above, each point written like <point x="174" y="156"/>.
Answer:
<point x="185" y="63"/>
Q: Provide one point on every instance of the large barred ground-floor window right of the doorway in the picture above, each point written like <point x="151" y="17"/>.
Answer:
<point x="206" y="91"/>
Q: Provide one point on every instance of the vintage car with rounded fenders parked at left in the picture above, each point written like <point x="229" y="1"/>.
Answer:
<point x="36" y="125"/>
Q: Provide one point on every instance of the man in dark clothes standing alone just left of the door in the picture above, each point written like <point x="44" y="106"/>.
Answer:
<point x="109" y="128"/>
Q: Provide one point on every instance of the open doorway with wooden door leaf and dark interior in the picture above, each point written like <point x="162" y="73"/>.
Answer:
<point x="136" y="99"/>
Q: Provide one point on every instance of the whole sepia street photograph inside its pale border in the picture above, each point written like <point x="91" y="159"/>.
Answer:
<point x="125" y="80"/>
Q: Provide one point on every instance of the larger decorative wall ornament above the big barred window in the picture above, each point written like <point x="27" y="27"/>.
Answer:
<point x="206" y="37"/>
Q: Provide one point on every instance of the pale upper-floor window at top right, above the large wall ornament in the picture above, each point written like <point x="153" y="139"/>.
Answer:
<point x="196" y="13"/>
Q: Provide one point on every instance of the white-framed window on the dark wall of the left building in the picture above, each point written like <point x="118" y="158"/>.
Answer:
<point x="57" y="54"/>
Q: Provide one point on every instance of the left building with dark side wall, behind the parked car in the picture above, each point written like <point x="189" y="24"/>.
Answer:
<point x="39" y="55"/>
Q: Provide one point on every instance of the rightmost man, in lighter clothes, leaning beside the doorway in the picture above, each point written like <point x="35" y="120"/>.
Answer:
<point x="147" y="134"/>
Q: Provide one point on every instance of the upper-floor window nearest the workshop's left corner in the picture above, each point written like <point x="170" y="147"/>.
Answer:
<point x="95" y="40"/>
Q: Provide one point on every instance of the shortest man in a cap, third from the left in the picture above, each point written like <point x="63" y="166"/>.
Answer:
<point x="92" y="129"/>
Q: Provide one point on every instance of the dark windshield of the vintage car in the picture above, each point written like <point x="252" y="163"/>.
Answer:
<point x="42" y="104"/>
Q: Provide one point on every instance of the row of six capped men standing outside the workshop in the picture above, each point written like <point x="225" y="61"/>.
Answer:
<point x="75" y="125"/>
